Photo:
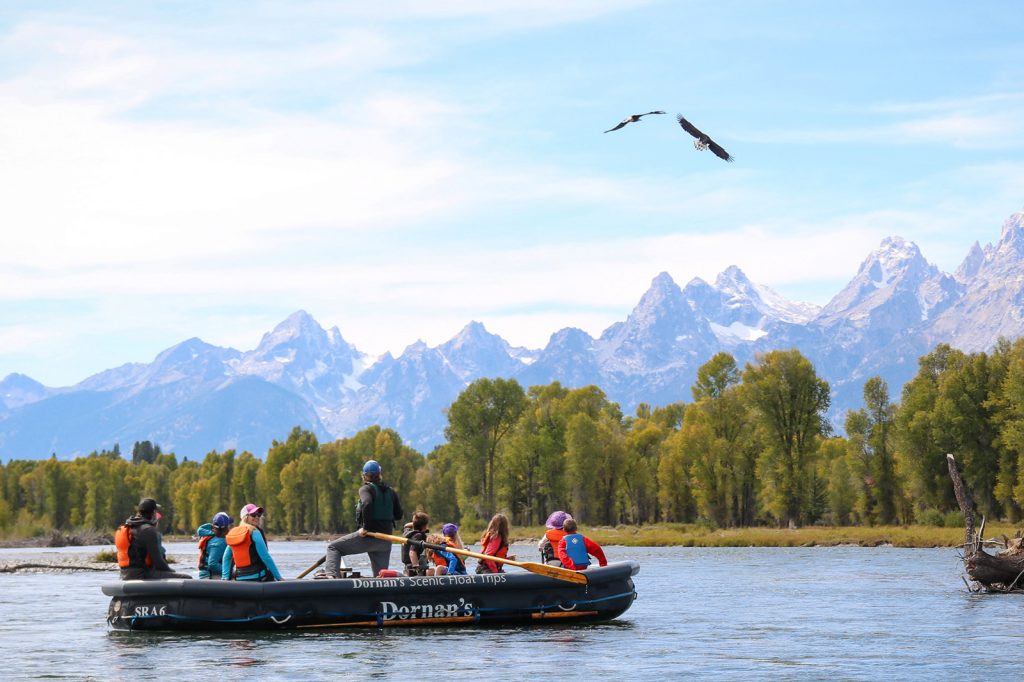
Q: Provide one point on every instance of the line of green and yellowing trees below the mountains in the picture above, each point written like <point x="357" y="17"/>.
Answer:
<point x="753" y="448"/>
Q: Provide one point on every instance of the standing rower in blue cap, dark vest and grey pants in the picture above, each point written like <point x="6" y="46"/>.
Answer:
<point x="377" y="511"/>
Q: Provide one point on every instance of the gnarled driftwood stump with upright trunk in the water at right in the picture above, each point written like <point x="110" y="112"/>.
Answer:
<point x="1002" y="572"/>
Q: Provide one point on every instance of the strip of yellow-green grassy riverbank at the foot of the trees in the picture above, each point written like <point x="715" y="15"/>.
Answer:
<point x="659" y="535"/>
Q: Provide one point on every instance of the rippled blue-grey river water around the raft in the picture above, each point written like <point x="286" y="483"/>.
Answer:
<point x="845" y="614"/>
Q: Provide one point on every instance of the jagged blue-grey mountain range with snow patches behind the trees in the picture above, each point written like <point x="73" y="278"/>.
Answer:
<point x="195" y="398"/>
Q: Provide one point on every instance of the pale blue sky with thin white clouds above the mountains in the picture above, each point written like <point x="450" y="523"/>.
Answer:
<point x="399" y="169"/>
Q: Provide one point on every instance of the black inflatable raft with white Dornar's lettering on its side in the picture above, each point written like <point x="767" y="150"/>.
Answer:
<point x="374" y="603"/>
